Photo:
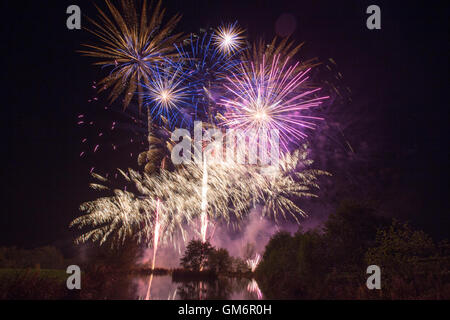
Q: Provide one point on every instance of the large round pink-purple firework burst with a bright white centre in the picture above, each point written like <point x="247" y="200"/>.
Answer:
<point x="266" y="97"/>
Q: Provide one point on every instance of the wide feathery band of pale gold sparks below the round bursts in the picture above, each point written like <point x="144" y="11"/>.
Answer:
<point x="233" y="189"/>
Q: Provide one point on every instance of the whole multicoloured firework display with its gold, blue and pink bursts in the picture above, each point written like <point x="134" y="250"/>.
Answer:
<point x="217" y="77"/>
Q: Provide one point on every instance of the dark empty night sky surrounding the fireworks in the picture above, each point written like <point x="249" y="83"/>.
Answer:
<point x="400" y="73"/>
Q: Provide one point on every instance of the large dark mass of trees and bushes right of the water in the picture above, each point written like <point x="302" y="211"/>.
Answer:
<point x="331" y="262"/>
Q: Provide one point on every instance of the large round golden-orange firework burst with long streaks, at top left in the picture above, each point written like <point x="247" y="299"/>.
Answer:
<point x="131" y="42"/>
